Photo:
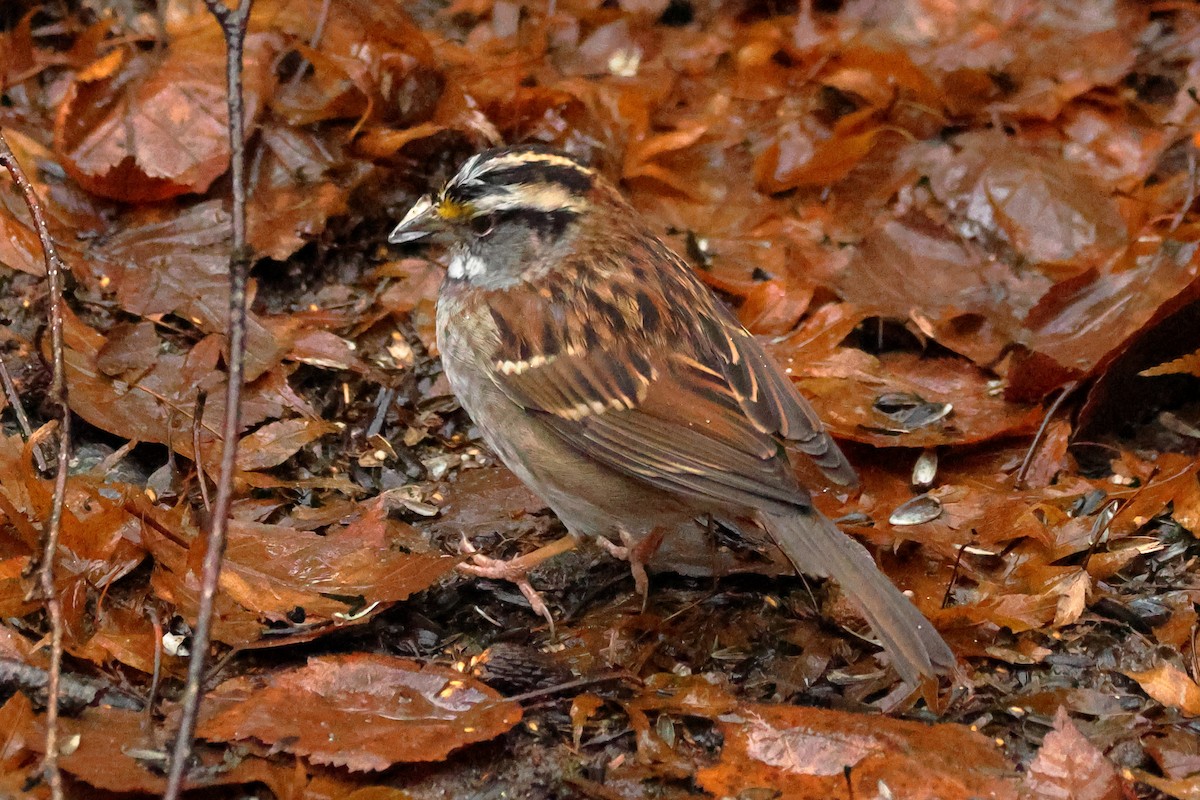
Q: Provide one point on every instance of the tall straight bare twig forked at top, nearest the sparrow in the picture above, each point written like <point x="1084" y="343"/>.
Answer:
<point x="235" y="25"/>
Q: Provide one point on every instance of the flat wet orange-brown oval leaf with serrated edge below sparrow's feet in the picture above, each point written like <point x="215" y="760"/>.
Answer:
<point x="361" y="712"/>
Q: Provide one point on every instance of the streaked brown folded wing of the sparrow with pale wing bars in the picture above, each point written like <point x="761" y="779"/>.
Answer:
<point x="687" y="402"/>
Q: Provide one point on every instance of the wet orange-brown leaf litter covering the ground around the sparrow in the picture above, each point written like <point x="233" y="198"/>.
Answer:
<point x="938" y="218"/>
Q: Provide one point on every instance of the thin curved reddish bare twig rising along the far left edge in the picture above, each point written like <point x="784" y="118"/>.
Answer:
<point x="55" y="525"/>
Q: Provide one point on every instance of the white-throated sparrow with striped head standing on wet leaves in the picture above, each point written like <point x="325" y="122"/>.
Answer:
<point x="609" y="378"/>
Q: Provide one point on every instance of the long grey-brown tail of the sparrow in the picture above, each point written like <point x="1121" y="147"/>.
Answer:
<point x="817" y="546"/>
